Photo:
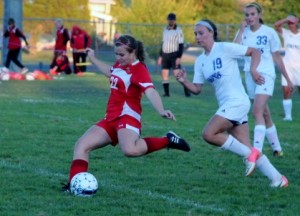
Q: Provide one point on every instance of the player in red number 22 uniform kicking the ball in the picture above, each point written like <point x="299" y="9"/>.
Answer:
<point x="129" y="79"/>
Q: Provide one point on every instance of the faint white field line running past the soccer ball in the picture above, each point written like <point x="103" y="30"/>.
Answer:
<point x="146" y="193"/>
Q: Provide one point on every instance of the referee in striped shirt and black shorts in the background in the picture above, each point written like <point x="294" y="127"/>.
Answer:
<point x="171" y="52"/>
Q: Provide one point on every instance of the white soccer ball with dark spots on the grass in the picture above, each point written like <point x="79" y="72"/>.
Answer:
<point x="84" y="184"/>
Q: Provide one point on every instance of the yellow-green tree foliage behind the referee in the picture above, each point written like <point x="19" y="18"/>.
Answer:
<point x="138" y="19"/>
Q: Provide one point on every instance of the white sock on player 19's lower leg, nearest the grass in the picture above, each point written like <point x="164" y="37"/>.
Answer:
<point x="267" y="169"/>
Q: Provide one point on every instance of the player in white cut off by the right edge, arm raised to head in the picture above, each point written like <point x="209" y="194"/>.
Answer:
<point x="291" y="59"/>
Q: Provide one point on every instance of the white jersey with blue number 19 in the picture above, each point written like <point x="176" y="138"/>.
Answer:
<point x="220" y="69"/>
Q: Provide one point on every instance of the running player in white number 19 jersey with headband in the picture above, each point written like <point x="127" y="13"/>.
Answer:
<point x="228" y="128"/>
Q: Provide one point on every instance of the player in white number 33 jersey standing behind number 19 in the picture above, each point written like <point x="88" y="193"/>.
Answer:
<point x="253" y="33"/>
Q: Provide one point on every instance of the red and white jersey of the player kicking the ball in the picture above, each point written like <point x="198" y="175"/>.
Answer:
<point x="127" y="83"/>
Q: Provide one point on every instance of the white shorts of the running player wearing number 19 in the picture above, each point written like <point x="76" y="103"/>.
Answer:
<point x="236" y="114"/>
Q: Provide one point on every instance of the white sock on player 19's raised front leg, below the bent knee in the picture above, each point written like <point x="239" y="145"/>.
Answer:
<point x="233" y="145"/>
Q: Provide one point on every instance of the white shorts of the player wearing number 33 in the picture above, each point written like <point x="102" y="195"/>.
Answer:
<point x="253" y="89"/>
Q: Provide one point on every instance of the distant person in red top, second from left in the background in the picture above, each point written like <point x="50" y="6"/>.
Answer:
<point x="62" y="38"/>
